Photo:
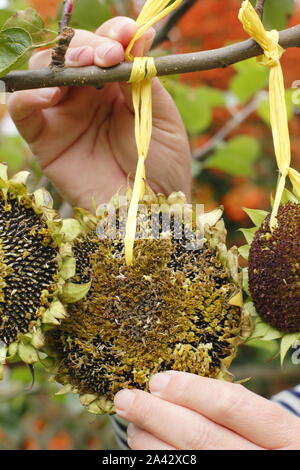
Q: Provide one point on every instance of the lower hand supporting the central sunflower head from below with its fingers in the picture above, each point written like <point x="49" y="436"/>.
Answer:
<point x="185" y="411"/>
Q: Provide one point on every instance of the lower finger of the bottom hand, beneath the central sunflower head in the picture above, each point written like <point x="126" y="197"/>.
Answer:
<point x="177" y="426"/>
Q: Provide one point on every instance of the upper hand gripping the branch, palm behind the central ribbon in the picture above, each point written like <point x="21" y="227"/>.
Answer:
<point x="84" y="139"/>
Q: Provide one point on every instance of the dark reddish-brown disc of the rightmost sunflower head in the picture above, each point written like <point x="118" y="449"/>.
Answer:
<point x="274" y="270"/>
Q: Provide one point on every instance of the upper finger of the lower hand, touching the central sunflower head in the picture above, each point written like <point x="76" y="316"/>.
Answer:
<point x="231" y="405"/>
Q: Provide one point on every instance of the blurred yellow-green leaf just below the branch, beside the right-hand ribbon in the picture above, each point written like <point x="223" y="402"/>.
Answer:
<point x="250" y="79"/>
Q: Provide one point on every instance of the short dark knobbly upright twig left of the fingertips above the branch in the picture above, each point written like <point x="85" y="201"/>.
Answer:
<point x="65" y="37"/>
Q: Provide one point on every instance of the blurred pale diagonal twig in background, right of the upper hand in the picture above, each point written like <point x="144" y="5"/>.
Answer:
<point x="237" y="119"/>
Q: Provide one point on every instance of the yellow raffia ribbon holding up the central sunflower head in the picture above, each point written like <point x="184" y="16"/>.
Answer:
<point x="143" y="71"/>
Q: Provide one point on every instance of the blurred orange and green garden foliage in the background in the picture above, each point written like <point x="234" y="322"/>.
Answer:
<point x="226" y="115"/>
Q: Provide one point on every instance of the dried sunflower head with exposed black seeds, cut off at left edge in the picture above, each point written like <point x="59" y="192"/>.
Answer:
<point x="35" y="261"/>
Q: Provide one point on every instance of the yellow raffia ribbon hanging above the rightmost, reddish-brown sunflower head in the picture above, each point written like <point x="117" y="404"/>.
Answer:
<point x="268" y="41"/>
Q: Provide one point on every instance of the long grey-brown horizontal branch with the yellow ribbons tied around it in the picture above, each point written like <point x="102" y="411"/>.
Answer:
<point x="168" y="65"/>
